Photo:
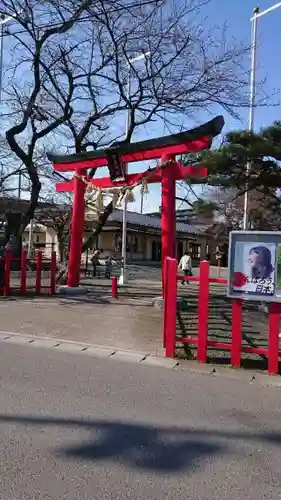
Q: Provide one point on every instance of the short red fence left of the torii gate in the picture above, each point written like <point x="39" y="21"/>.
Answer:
<point x="38" y="282"/>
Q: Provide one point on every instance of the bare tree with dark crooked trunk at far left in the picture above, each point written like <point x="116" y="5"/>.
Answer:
<point x="42" y="33"/>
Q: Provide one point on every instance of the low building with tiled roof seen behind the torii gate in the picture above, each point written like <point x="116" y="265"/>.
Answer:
<point x="143" y="237"/>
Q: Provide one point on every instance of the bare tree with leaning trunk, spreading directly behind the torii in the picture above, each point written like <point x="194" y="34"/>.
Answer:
<point x="180" y="74"/>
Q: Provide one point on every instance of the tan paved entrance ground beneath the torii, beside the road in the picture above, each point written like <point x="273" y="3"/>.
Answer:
<point x="128" y="323"/>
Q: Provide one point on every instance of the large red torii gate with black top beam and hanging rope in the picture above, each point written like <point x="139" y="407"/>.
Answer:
<point x="167" y="172"/>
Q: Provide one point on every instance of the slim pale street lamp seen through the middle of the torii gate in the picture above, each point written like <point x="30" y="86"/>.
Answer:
<point x="123" y="275"/>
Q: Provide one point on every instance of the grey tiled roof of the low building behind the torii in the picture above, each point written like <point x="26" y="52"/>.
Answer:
<point x="138" y="219"/>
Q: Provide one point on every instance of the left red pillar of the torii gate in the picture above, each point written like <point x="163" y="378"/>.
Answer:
<point x="77" y="230"/>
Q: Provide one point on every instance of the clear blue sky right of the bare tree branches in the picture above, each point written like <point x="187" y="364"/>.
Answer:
<point x="237" y="16"/>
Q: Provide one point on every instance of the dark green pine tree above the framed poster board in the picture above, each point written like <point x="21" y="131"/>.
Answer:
<point x="227" y="170"/>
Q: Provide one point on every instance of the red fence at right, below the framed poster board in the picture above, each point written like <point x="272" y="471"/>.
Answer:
<point x="201" y="341"/>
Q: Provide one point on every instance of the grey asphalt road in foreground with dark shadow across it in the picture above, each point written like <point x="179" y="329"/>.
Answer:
<point x="74" y="427"/>
